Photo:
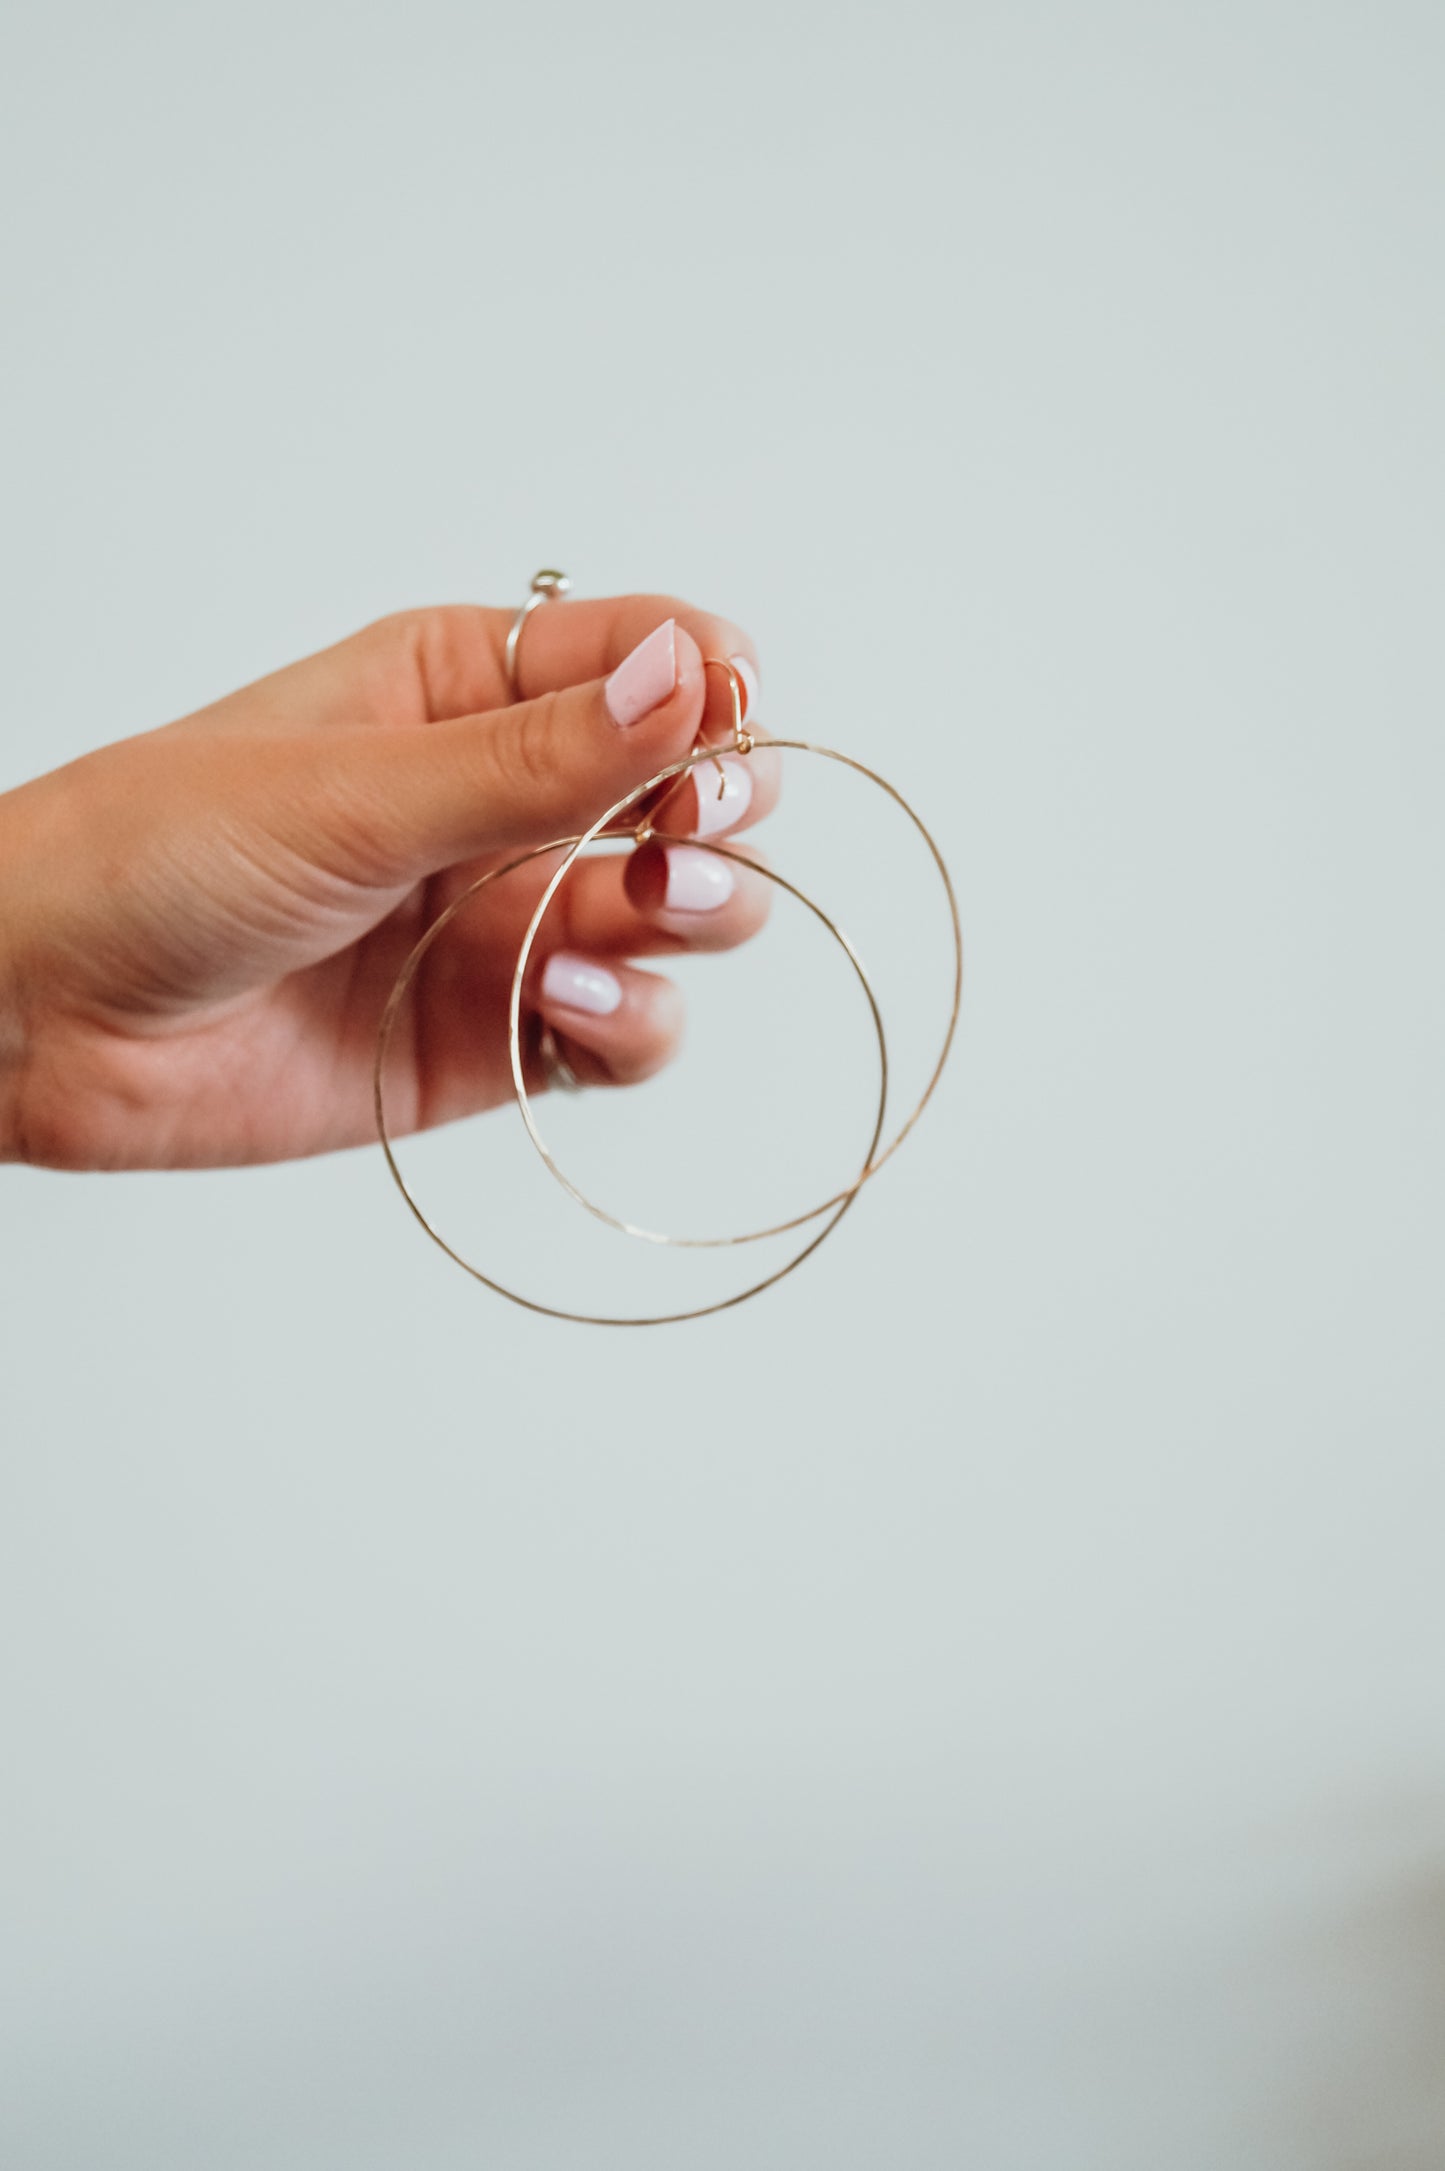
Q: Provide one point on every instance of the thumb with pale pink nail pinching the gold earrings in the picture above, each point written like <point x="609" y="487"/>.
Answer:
<point x="413" y="802"/>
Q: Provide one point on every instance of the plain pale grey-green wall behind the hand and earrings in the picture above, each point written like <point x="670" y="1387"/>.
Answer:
<point x="982" y="1705"/>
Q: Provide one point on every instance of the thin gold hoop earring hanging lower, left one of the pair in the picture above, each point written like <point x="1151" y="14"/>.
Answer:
<point x="389" y="1019"/>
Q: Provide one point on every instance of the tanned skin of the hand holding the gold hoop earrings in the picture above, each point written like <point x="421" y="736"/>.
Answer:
<point x="201" y="926"/>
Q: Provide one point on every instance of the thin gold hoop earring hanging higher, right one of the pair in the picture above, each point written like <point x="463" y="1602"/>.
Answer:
<point x="648" y="835"/>
